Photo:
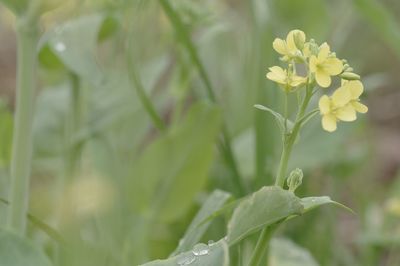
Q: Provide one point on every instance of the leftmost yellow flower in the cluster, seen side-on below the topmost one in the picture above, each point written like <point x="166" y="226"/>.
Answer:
<point x="285" y="79"/>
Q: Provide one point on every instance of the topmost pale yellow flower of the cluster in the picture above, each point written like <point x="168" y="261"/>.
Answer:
<point x="291" y="47"/>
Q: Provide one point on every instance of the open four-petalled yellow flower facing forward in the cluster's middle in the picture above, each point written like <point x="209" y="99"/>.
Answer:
<point x="325" y="65"/>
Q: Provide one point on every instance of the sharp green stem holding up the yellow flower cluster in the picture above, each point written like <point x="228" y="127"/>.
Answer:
<point x="289" y="140"/>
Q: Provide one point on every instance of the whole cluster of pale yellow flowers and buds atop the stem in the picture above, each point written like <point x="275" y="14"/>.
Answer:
<point x="321" y="65"/>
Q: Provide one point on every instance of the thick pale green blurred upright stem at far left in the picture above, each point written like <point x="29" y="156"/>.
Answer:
<point x="27" y="38"/>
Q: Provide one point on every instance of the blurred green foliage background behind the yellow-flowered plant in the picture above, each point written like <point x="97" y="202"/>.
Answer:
<point x="122" y="189"/>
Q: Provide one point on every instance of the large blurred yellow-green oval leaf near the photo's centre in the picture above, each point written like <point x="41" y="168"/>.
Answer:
<point x="174" y="168"/>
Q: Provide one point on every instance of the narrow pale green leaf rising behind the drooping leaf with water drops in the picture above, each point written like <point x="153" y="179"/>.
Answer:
<point x="197" y="228"/>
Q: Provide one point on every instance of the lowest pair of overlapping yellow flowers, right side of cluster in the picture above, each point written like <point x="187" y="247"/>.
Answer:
<point x="342" y="105"/>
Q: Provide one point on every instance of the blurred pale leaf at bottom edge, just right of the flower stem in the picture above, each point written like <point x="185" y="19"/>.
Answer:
<point x="286" y="253"/>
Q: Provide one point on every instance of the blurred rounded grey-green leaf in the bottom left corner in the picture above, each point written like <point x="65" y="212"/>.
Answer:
<point x="17" y="251"/>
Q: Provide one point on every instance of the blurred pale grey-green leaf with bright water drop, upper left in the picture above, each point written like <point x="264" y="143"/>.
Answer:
<point x="74" y="44"/>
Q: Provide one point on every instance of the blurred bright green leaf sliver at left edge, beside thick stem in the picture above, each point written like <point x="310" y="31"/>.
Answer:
<point x="6" y="129"/>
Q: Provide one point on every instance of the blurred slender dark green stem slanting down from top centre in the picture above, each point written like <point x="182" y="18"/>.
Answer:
<point x="185" y="39"/>
